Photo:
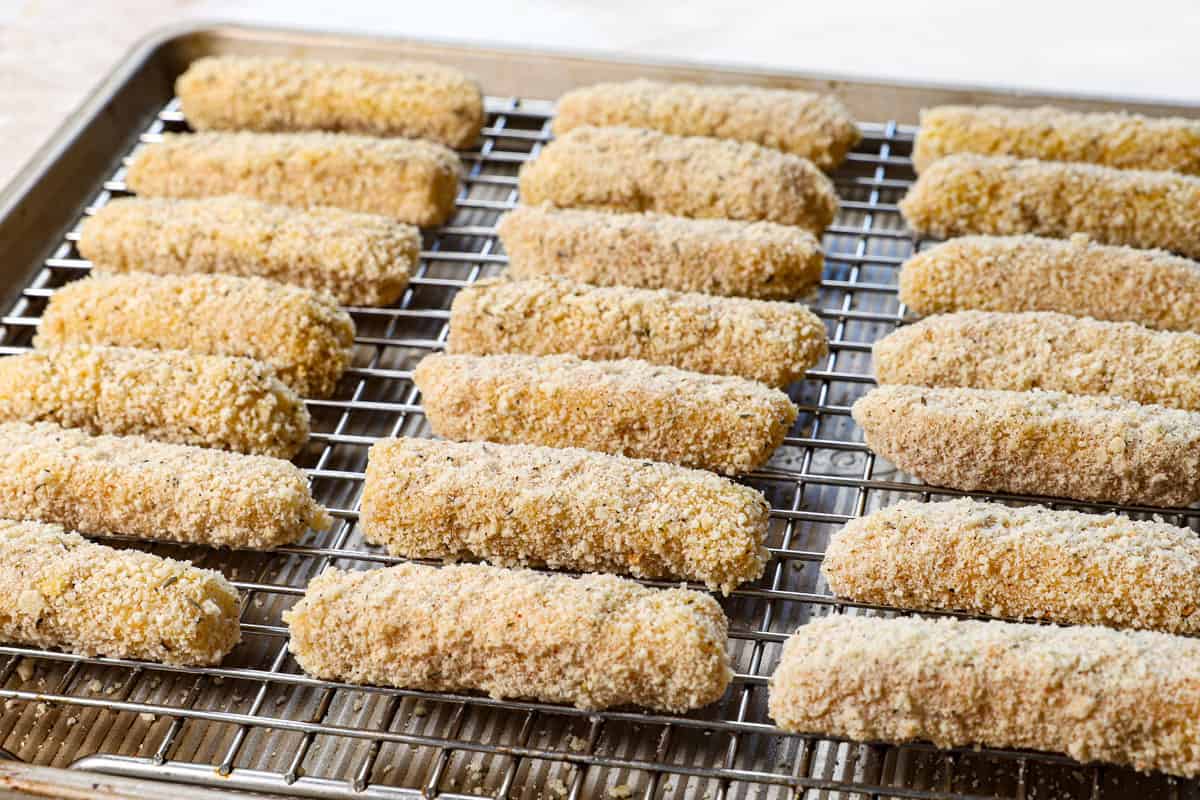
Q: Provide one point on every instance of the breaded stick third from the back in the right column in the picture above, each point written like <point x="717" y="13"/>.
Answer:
<point x="1075" y="276"/>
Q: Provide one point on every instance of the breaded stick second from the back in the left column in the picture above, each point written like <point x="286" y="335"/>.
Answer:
<point x="406" y="179"/>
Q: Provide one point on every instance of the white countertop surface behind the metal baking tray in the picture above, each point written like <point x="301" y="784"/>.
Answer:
<point x="52" y="52"/>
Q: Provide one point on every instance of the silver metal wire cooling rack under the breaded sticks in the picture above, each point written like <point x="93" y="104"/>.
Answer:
<point x="259" y="723"/>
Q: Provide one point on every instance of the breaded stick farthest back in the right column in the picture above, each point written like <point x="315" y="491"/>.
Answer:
<point x="1113" y="140"/>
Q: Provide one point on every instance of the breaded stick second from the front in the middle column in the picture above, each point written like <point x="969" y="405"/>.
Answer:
<point x="519" y="506"/>
